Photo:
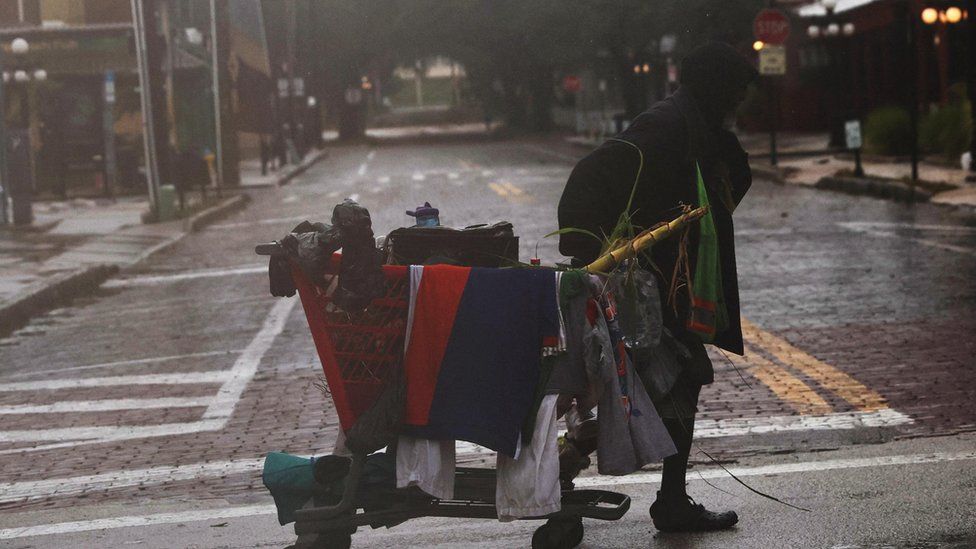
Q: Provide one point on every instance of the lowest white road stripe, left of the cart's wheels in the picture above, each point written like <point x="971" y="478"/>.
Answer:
<point x="129" y="522"/>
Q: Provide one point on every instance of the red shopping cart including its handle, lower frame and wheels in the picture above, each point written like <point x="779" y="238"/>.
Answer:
<point x="358" y="352"/>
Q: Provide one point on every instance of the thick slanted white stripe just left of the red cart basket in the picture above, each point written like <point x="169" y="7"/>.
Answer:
<point x="246" y="366"/>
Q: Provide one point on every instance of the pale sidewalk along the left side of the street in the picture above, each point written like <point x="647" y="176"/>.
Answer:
<point x="73" y="246"/>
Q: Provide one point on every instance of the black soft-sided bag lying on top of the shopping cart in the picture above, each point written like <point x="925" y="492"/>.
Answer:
<point x="476" y="246"/>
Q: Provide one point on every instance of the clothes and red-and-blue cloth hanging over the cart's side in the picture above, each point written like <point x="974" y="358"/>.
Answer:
<point x="490" y="355"/>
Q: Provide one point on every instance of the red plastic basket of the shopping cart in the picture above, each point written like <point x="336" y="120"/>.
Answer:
<point x="357" y="350"/>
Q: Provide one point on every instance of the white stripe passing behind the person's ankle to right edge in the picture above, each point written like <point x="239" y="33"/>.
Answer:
<point x="784" y="468"/>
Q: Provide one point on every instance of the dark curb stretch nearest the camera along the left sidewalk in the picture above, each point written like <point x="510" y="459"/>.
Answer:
<point x="48" y="294"/>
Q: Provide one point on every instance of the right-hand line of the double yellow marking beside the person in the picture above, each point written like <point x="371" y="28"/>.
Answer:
<point x="829" y="377"/>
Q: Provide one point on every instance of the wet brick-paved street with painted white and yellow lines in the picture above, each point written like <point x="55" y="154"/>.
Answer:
<point x="158" y="396"/>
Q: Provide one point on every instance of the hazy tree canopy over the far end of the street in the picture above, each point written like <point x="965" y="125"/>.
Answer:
<point x="512" y="50"/>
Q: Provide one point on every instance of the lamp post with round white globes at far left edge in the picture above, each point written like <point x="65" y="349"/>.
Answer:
<point x="19" y="185"/>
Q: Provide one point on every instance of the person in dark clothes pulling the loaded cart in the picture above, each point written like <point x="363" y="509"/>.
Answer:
<point x="686" y="131"/>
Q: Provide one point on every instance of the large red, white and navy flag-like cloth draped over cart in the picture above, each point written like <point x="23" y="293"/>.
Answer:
<point x="474" y="343"/>
